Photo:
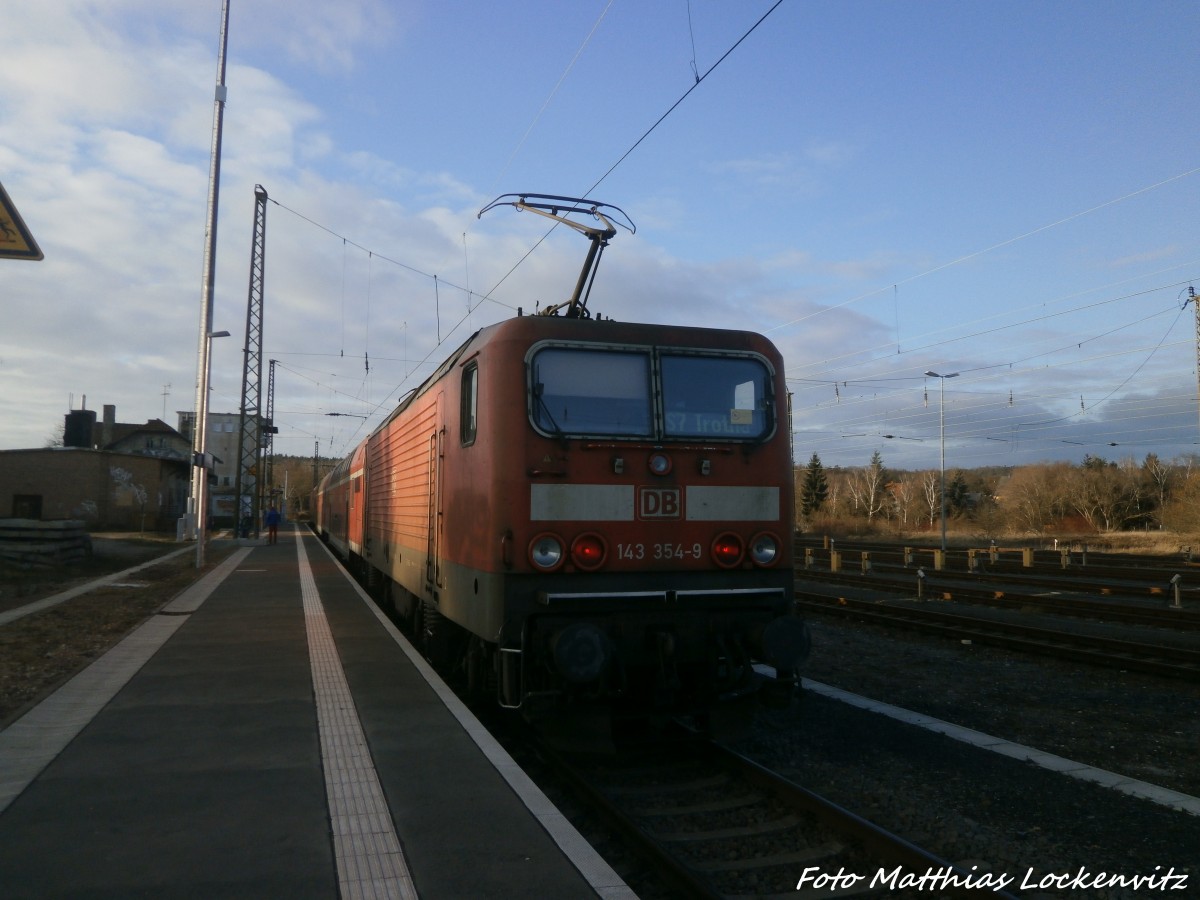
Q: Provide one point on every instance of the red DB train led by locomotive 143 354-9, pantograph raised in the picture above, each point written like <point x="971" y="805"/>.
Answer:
<point x="584" y="515"/>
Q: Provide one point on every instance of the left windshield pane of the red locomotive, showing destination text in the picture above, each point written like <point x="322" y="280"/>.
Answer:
<point x="579" y="392"/>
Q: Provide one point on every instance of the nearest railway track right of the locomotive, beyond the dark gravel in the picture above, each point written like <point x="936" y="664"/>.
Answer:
<point x="1153" y="658"/>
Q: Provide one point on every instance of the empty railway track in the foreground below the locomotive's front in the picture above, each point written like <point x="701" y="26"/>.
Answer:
<point x="717" y="825"/>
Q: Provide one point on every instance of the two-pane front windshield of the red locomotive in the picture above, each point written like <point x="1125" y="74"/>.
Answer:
<point x="650" y="394"/>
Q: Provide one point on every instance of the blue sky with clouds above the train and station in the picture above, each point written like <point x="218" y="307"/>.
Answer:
<point x="1007" y="191"/>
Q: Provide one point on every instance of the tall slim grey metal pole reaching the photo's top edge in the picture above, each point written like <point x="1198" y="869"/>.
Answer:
<point x="201" y="427"/>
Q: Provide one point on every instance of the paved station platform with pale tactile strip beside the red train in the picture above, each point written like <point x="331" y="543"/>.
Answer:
<point x="271" y="735"/>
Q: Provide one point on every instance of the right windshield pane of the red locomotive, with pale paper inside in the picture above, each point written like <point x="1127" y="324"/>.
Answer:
<point x="716" y="398"/>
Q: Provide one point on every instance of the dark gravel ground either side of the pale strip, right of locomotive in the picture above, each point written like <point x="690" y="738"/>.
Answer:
<point x="980" y="809"/>
